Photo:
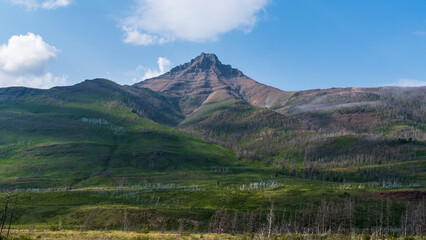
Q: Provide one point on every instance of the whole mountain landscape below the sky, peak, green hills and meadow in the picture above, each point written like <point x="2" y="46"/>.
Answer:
<point x="204" y="148"/>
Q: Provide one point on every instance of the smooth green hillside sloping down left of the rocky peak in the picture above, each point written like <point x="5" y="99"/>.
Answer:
<point x="90" y="133"/>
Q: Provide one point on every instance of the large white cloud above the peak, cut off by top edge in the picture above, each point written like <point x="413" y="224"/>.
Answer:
<point x="161" y="21"/>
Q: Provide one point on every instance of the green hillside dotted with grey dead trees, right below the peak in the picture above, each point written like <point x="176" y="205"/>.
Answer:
<point x="344" y="143"/>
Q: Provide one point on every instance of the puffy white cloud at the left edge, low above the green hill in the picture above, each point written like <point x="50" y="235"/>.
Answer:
<point x="23" y="62"/>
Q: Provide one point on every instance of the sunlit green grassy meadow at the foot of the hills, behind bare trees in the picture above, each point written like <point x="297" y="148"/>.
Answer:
<point x="157" y="198"/>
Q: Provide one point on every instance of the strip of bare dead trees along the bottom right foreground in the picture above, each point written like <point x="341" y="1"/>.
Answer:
<point x="340" y="217"/>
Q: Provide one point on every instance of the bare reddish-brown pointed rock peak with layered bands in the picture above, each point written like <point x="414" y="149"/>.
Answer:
<point x="195" y="81"/>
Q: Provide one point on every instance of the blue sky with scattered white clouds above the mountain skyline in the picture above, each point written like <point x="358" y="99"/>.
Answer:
<point x="289" y="44"/>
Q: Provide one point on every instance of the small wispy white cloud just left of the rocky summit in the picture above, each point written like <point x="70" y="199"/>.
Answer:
<point x="142" y="73"/>
